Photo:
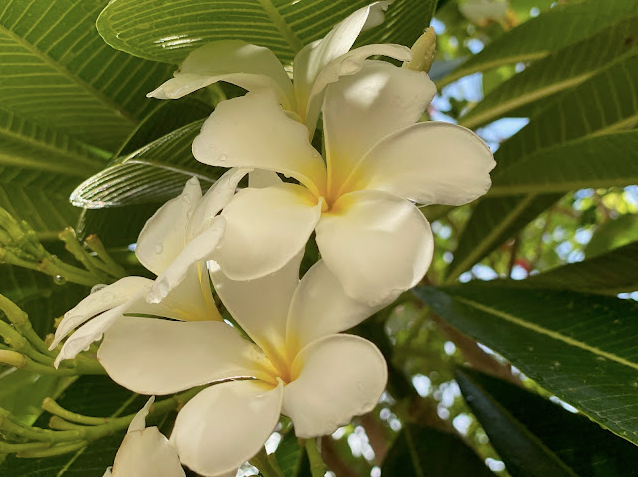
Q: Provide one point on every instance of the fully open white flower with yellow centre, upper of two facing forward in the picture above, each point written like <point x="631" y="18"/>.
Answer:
<point x="360" y="201"/>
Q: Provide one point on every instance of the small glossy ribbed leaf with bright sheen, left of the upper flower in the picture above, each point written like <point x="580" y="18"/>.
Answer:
<point x="152" y="174"/>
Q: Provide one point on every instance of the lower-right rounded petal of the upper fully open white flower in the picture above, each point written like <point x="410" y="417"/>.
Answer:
<point x="376" y="244"/>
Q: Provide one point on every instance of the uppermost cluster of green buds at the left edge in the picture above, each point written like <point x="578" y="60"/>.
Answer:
<point x="20" y="246"/>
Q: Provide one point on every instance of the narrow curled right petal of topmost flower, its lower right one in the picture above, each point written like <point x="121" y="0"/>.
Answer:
<point x="348" y="64"/>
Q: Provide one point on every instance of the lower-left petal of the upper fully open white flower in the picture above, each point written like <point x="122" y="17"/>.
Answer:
<point x="265" y="229"/>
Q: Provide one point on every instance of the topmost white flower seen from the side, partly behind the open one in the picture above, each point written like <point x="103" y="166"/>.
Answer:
<point x="256" y="68"/>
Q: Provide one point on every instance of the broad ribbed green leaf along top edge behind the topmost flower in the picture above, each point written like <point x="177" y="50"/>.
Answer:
<point x="150" y="29"/>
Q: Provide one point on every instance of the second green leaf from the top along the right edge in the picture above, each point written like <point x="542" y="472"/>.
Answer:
<point x="549" y="76"/>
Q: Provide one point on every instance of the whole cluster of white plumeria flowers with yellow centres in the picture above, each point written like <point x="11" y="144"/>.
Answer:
<point x="282" y="349"/>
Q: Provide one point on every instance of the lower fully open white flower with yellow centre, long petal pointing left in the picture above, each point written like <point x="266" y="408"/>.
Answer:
<point x="298" y="364"/>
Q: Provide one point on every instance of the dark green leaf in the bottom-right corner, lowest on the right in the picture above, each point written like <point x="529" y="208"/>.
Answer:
<point x="579" y="443"/>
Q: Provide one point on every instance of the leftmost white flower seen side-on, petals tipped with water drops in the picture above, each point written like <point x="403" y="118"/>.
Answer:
<point x="173" y="244"/>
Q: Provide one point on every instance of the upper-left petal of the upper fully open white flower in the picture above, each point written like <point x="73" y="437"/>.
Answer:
<point x="253" y="131"/>
